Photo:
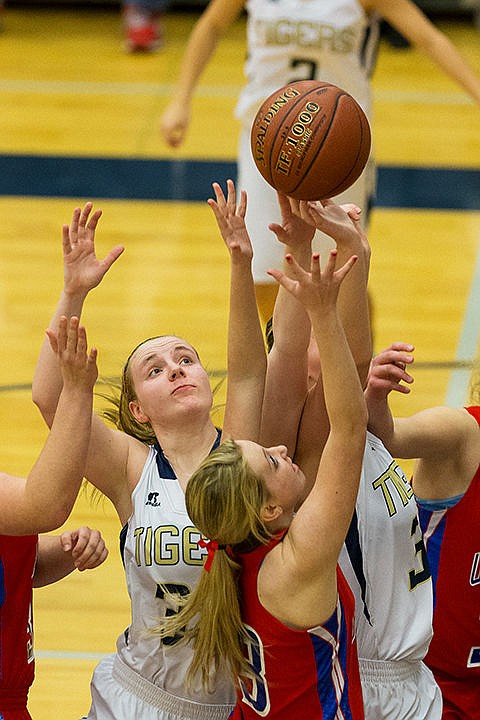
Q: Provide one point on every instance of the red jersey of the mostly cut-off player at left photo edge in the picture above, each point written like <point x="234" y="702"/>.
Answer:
<point x="17" y="564"/>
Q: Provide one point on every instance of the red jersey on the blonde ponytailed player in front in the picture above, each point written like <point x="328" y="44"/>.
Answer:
<point x="301" y="674"/>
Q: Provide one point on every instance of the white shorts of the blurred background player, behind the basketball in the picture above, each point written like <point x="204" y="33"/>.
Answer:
<point x="262" y="209"/>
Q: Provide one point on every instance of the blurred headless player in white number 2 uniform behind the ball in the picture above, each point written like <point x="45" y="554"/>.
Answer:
<point x="332" y="40"/>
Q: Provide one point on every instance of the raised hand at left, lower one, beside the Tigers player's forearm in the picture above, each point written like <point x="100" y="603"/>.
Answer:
<point x="69" y="343"/>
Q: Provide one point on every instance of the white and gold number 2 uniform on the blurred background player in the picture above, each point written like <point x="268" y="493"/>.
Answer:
<point x="287" y="40"/>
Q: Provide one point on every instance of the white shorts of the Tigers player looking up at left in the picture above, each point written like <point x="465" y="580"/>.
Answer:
<point x="119" y="693"/>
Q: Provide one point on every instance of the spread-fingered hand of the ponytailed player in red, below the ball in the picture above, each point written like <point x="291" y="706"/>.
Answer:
<point x="315" y="288"/>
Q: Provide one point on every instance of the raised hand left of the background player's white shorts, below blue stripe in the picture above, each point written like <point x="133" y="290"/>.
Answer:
<point x="231" y="221"/>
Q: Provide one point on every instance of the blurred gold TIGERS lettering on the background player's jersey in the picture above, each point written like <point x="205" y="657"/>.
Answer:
<point x="305" y="33"/>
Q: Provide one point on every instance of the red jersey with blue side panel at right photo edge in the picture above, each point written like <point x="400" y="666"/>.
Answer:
<point x="452" y="538"/>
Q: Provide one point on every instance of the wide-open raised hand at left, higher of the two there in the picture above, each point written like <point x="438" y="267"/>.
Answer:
<point x="82" y="269"/>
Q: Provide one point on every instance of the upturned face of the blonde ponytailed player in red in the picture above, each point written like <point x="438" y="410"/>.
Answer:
<point x="284" y="480"/>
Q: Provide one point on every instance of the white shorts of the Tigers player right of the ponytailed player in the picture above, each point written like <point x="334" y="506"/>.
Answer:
<point x="399" y="690"/>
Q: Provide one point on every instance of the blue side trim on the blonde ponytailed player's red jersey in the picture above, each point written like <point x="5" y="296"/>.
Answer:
<point x="327" y="692"/>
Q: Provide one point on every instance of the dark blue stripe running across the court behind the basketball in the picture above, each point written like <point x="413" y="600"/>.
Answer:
<point x="191" y="180"/>
